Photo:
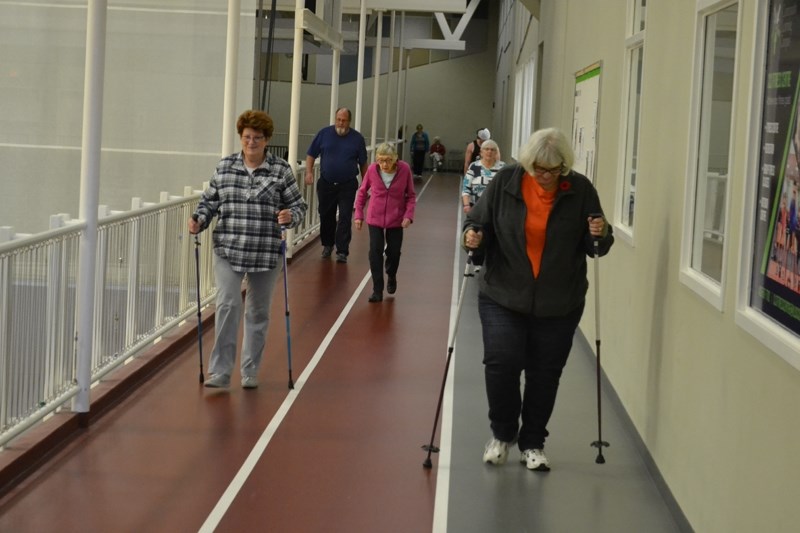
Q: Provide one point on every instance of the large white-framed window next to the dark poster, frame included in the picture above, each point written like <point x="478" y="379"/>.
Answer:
<point x="707" y="190"/>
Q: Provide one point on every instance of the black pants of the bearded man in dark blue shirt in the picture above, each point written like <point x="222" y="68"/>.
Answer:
<point x="332" y="197"/>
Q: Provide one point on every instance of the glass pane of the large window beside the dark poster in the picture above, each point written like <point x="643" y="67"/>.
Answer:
<point x="714" y="138"/>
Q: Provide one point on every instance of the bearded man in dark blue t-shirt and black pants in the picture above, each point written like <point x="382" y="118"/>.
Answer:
<point x="343" y="154"/>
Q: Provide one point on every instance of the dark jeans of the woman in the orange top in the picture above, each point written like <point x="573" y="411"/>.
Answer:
<point x="514" y="343"/>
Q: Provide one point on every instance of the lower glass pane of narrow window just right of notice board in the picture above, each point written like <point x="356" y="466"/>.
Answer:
<point x="632" y="140"/>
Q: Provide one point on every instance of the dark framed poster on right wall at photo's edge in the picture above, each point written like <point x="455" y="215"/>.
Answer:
<point x="775" y="287"/>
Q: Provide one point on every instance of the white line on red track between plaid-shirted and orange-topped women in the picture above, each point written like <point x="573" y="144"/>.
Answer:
<point x="225" y="501"/>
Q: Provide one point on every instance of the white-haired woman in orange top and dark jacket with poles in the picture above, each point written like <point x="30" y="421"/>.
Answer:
<point x="533" y="227"/>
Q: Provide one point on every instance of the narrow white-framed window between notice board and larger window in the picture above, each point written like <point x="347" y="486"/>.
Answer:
<point x="634" y="52"/>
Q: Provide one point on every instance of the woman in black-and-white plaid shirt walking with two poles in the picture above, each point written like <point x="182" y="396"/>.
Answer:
<point x="253" y="193"/>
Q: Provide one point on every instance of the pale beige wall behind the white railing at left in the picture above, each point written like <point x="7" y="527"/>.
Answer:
<point x="162" y="109"/>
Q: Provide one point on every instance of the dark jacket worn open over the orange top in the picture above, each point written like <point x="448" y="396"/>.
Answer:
<point x="507" y="276"/>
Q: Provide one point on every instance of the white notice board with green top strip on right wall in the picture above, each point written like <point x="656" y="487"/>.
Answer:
<point x="584" y="119"/>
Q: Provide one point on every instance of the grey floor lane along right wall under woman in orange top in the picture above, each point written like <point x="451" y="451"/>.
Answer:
<point x="577" y="494"/>
